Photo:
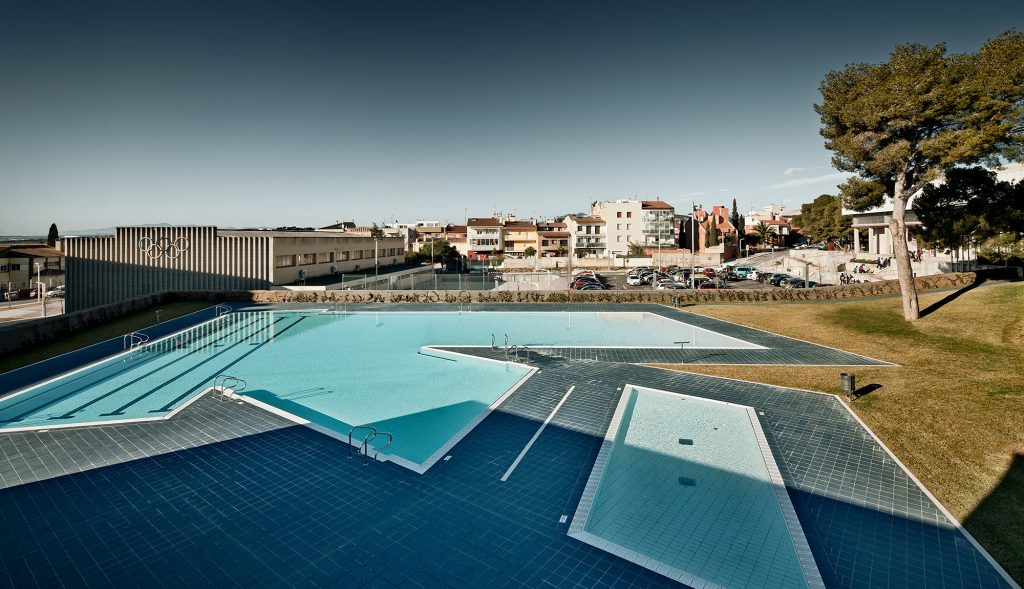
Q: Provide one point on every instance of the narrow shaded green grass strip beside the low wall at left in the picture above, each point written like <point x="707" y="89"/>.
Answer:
<point x="105" y="331"/>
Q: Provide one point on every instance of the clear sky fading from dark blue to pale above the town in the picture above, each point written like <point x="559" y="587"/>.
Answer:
<point x="304" y="113"/>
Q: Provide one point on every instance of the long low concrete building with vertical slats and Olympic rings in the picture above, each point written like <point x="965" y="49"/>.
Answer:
<point x="140" y="261"/>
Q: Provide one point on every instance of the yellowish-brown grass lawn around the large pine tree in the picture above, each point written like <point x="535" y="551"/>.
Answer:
<point x="953" y="412"/>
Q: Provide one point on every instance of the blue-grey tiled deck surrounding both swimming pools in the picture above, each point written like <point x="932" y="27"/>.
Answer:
<point x="226" y="495"/>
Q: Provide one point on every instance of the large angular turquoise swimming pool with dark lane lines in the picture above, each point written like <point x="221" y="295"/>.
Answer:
<point x="338" y="370"/>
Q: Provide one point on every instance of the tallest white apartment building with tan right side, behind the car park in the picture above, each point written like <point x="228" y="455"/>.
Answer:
<point x="631" y="221"/>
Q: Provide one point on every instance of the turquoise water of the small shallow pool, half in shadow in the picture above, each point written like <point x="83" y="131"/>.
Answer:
<point x="687" y="485"/>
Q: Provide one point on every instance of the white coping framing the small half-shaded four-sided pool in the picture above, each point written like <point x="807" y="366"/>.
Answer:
<point x="804" y="556"/>
